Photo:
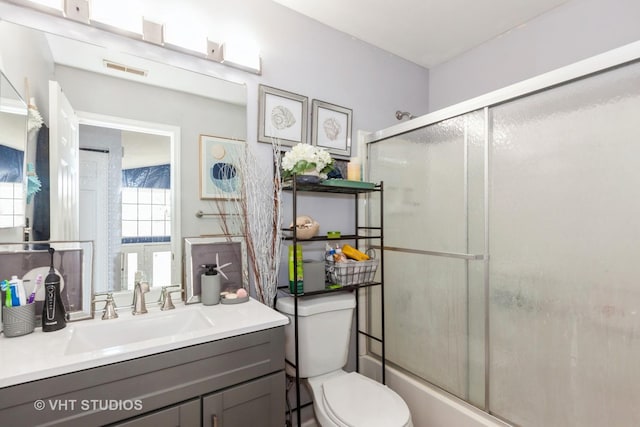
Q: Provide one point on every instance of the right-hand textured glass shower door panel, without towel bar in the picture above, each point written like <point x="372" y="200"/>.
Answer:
<point x="564" y="234"/>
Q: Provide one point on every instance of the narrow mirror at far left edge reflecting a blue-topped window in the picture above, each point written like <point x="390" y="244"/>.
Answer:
<point x="13" y="140"/>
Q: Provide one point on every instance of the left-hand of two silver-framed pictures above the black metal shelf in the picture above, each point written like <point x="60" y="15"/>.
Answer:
<point x="282" y="115"/>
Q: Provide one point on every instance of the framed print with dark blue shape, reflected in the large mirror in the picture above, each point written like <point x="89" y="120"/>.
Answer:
<point x="220" y="177"/>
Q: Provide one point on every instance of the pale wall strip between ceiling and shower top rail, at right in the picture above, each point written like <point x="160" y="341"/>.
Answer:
<point x="573" y="31"/>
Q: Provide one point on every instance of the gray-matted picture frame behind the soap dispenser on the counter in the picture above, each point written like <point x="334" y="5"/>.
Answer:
<point x="202" y="250"/>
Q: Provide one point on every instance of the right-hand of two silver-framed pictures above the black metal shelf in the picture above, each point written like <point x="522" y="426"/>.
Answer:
<point x="331" y="127"/>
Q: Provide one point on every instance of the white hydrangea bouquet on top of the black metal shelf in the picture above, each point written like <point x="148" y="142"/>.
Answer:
<point x="306" y="159"/>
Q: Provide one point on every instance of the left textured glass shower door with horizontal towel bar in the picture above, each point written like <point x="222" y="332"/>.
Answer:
<point x="434" y="241"/>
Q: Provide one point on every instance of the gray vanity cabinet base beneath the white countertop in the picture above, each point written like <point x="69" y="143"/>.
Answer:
<point x="239" y="380"/>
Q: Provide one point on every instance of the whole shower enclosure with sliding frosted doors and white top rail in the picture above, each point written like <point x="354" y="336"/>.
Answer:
<point x="512" y="235"/>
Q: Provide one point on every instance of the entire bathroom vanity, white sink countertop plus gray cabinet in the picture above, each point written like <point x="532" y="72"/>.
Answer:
<point x="197" y="365"/>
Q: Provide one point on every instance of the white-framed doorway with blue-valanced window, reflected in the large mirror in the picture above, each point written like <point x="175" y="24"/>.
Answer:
<point x="128" y="182"/>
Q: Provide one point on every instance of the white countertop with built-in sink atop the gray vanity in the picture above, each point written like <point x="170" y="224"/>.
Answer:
<point x="44" y="354"/>
